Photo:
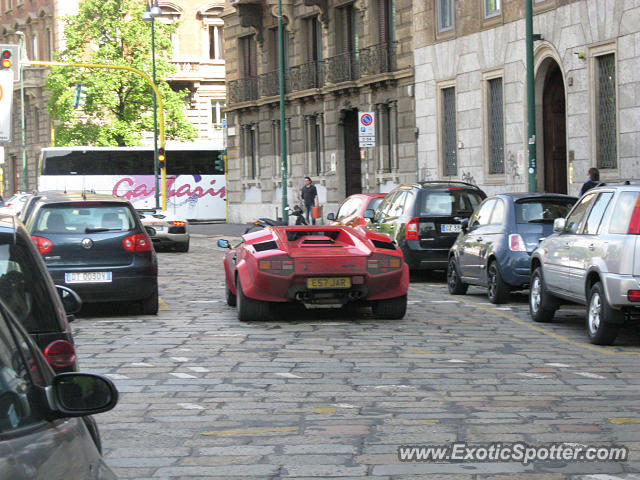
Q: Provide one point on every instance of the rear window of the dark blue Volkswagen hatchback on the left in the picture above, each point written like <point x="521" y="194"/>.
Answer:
<point x="84" y="218"/>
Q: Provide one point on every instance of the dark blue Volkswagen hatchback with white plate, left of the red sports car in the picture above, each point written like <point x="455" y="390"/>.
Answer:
<point x="96" y="244"/>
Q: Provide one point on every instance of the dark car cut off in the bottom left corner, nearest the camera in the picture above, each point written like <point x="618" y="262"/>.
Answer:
<point x="42" y="435"/>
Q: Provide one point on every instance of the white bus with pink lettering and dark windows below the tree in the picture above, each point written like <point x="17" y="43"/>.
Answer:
<point x="196" y="187"/>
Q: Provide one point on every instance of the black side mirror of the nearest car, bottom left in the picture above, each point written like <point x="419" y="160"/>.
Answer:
<point x="79" y="394"/>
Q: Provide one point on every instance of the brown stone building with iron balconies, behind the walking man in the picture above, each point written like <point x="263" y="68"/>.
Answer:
<point x="342" y="58"/>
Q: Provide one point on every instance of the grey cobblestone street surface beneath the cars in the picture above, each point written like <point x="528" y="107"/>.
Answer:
<point x="321" y="394"/>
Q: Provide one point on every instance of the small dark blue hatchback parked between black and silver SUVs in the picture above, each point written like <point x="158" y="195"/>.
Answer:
<point x="495" y="246"/>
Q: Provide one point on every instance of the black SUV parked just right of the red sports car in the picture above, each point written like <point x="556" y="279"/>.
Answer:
<point x="424" y="219"/>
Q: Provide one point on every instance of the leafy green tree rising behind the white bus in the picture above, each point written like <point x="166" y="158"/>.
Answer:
<point x="119" y="104"/>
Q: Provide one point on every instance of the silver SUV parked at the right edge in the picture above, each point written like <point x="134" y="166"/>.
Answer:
<point x="593" y="258"/>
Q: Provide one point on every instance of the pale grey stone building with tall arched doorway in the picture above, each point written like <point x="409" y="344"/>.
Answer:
<point x="471" y="98"/>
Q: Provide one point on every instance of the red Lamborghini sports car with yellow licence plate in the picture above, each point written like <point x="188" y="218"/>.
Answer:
<point x="317" y="266"/>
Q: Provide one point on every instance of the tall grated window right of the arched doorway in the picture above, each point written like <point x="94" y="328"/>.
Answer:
<point x="607" y="151"/>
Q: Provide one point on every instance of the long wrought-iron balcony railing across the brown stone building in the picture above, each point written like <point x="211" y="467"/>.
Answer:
<point x="345" y="67"/>
